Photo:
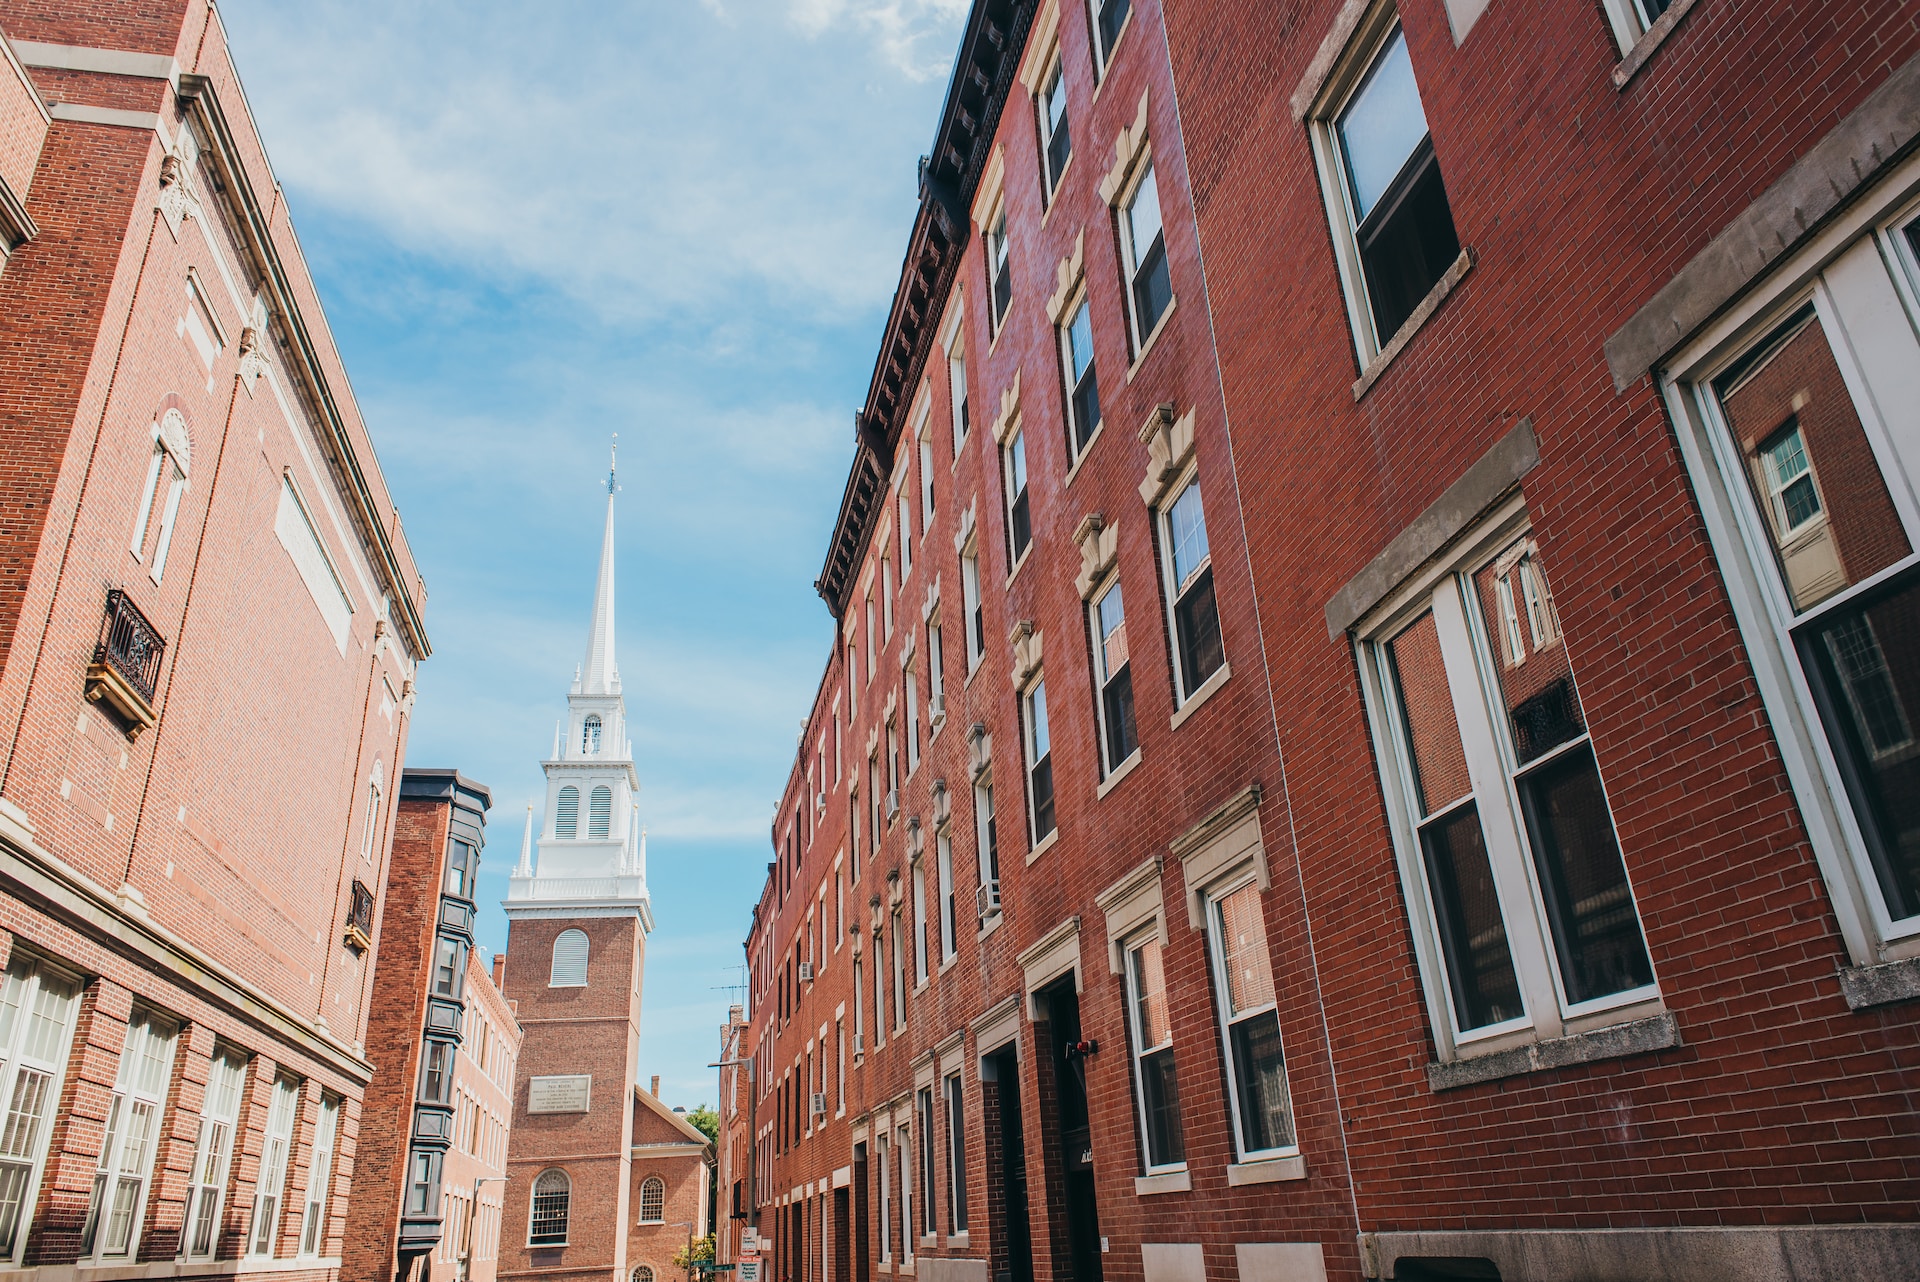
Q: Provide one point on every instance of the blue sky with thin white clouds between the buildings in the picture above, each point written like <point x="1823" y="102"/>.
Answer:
<point x="679" y="222"/>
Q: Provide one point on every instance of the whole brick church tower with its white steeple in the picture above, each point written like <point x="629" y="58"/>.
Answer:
<point x="577" y="939"/>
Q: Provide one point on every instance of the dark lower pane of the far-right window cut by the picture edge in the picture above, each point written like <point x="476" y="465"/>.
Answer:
<point x="1863" y="663"/>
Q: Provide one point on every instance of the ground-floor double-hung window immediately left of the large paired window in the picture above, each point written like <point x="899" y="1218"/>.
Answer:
<point x="1251" y="1024"/>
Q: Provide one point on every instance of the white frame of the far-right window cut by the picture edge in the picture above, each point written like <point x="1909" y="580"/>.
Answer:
<point x="1858" y="272"/>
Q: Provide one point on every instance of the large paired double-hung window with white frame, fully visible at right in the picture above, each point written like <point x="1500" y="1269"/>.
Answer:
<point x="1525" y="916"/>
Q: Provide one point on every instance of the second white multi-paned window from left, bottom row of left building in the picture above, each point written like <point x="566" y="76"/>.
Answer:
<point x="133" y="1133"/>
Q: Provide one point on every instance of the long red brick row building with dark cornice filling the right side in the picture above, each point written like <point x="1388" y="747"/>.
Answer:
<point x="1491" y="849"/>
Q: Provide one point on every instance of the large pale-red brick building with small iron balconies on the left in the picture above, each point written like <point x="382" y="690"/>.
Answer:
<point x="208" y="636"/>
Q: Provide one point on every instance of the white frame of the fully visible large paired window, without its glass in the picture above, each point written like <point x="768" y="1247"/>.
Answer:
<point x="1445" y="588"/>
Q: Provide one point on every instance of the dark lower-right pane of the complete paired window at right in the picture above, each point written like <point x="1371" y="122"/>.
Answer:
<point x="1596" y="930"/>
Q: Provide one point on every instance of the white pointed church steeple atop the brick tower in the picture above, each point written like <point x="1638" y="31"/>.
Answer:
<point x="590" y="853"/>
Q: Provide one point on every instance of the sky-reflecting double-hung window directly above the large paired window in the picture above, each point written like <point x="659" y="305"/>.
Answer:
<point x="1393" y="224"/>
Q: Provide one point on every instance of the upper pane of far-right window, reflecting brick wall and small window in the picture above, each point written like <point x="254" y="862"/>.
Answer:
<point x="1810" y="465"/>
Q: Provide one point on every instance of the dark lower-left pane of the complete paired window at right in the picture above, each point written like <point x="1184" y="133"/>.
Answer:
<point x="1474" y="936"/>
